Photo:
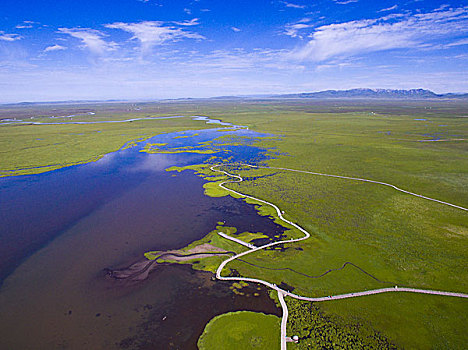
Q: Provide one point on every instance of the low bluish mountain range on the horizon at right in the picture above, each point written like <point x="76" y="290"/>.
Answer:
<point x="415" y="94"/>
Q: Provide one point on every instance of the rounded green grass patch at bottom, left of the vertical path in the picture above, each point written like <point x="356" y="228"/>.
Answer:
<point x="241" y="330"/>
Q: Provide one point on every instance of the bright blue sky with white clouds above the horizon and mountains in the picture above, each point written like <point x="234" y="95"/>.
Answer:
<point x="135" y="49"/>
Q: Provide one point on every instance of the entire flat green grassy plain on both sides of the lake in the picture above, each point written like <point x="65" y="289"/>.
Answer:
<point x="395" y="237"/>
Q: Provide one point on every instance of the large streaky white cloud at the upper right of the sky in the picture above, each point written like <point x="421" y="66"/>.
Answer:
<point x="391" y="32"/>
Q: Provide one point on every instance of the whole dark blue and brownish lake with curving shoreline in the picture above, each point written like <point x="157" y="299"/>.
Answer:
<point x="61" y="229"/>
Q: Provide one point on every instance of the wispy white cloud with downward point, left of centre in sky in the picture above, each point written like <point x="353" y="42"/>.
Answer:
<point x="152" y="33"/>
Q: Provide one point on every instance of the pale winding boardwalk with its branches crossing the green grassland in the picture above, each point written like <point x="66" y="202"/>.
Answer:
<point x="282" y="292"/>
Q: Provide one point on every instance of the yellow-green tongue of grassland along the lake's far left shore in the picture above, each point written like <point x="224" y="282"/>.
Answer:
<point x="30" y="149"/>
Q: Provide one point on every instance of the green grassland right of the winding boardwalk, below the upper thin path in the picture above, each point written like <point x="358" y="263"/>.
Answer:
<point x="415" y="252"/>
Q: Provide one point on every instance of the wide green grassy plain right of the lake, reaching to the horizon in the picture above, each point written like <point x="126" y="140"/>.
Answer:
<point x="395" y="237"/>
